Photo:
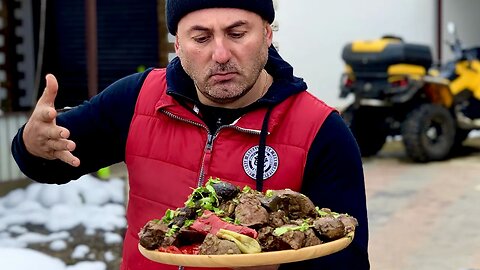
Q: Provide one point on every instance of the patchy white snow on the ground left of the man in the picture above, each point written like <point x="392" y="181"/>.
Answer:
<point x="88" y="201"/>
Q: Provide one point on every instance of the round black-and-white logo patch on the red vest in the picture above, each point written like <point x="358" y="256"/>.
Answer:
<point x="250" y="160"/>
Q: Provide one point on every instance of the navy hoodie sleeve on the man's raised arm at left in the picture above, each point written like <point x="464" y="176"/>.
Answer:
<point x="99" y="127"/>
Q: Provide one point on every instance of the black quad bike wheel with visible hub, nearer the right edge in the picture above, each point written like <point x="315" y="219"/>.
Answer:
<point x="429" y="133"/>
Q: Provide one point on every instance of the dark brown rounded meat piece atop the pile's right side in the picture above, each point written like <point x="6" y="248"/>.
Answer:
<point x="295" y="204"/>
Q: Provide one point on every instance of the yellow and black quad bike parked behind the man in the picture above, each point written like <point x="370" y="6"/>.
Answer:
<point x="397" y="91"/>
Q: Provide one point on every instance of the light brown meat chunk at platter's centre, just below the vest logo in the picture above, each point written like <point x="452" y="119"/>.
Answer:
<point x="250" y="212"/>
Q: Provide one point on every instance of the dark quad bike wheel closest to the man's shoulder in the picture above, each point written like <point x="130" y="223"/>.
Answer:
<point x="368" y="128"/>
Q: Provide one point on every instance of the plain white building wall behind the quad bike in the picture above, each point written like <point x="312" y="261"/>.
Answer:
<point x="312" y="33"/>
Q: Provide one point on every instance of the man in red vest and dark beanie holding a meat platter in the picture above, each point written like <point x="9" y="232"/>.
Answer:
<point x="228" y="106"/>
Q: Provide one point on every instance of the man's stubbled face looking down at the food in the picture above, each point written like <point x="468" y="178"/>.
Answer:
<point x="223" y="50"/>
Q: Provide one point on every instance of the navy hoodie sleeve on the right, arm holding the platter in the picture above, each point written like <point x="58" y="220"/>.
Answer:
<point x="334" y="179"/>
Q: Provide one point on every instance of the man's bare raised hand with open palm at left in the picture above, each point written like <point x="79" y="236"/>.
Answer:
<point x="41" y="135"/>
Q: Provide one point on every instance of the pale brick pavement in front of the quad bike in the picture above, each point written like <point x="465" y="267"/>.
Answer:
<point x="423" y="216"/>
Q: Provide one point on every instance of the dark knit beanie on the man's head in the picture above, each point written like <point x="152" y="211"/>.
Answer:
<point x="177" y="9"/>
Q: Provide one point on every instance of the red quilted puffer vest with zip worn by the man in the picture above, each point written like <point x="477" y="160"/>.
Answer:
<point x="170" y="151"/>
